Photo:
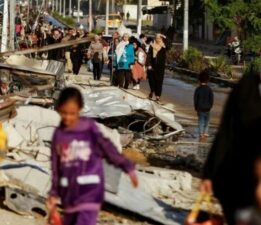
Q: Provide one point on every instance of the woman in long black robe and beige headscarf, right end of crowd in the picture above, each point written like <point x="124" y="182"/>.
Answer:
<point x="156" y="66"/>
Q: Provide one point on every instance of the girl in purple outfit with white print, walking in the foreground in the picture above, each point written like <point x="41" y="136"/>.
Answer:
<point x="78" y="148"/>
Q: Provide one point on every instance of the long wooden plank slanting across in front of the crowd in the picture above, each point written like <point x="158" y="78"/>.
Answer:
<point x="46" y="48"/>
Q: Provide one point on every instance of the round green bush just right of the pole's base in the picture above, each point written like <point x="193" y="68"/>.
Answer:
<point x="193" y="59"/>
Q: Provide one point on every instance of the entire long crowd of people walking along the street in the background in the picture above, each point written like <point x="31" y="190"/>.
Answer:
<point x="129" y="59"/>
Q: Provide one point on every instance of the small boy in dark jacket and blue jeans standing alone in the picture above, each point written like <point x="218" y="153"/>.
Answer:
<point x="203" y="102"/>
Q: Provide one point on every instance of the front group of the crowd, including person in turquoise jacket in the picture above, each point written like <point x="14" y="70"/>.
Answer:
<point x="131" y="60"/>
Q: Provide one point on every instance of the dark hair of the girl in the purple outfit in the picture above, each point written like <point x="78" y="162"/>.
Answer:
<point x="70" y="93"/>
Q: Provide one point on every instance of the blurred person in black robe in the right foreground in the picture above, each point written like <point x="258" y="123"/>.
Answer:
<point x="229" y="169"/>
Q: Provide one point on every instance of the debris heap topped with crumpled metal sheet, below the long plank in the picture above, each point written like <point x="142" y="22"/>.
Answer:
<point x="31" y="78"/>
